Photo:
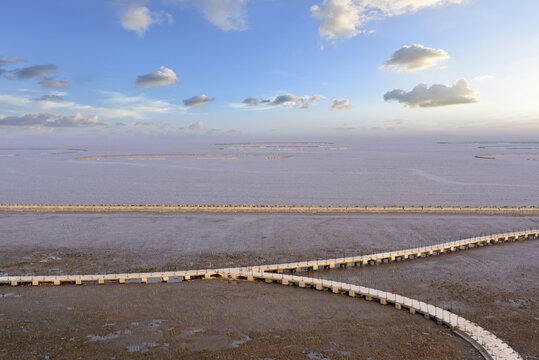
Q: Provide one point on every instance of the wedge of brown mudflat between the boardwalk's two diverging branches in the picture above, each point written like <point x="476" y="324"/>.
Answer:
<point x="494" y="286"/>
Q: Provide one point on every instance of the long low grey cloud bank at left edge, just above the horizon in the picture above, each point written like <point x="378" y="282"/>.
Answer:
<point x="50" y="120"/>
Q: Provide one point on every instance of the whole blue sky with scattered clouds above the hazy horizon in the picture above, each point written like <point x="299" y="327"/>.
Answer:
<point x="207" y="67"/>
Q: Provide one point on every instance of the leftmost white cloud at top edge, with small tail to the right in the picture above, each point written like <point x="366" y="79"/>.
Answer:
<point x="135" y="16"/>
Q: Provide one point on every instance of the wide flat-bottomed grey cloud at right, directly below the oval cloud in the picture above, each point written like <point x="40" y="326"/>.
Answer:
<point x="434" y="96"/>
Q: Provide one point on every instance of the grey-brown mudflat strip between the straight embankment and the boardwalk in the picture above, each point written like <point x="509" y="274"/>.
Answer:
<point x="43" y="243"/>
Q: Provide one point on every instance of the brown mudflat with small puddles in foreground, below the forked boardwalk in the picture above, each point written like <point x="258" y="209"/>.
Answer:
<point x="212" y="319"/>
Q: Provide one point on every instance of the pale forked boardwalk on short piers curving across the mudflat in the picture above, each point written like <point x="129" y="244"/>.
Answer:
<point x="489" y="345"/>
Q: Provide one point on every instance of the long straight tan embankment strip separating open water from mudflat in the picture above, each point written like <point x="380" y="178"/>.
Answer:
<point x="154" y="208"/>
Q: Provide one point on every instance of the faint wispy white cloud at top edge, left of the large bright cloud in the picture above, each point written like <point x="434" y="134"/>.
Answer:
<point x="225" y="14"/>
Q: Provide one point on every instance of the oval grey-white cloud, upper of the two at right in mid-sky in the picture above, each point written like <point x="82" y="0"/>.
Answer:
<point x="414" y="58"/>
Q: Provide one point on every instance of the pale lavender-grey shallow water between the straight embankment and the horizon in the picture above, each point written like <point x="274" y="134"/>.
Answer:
<point x="384" y="172"/>
